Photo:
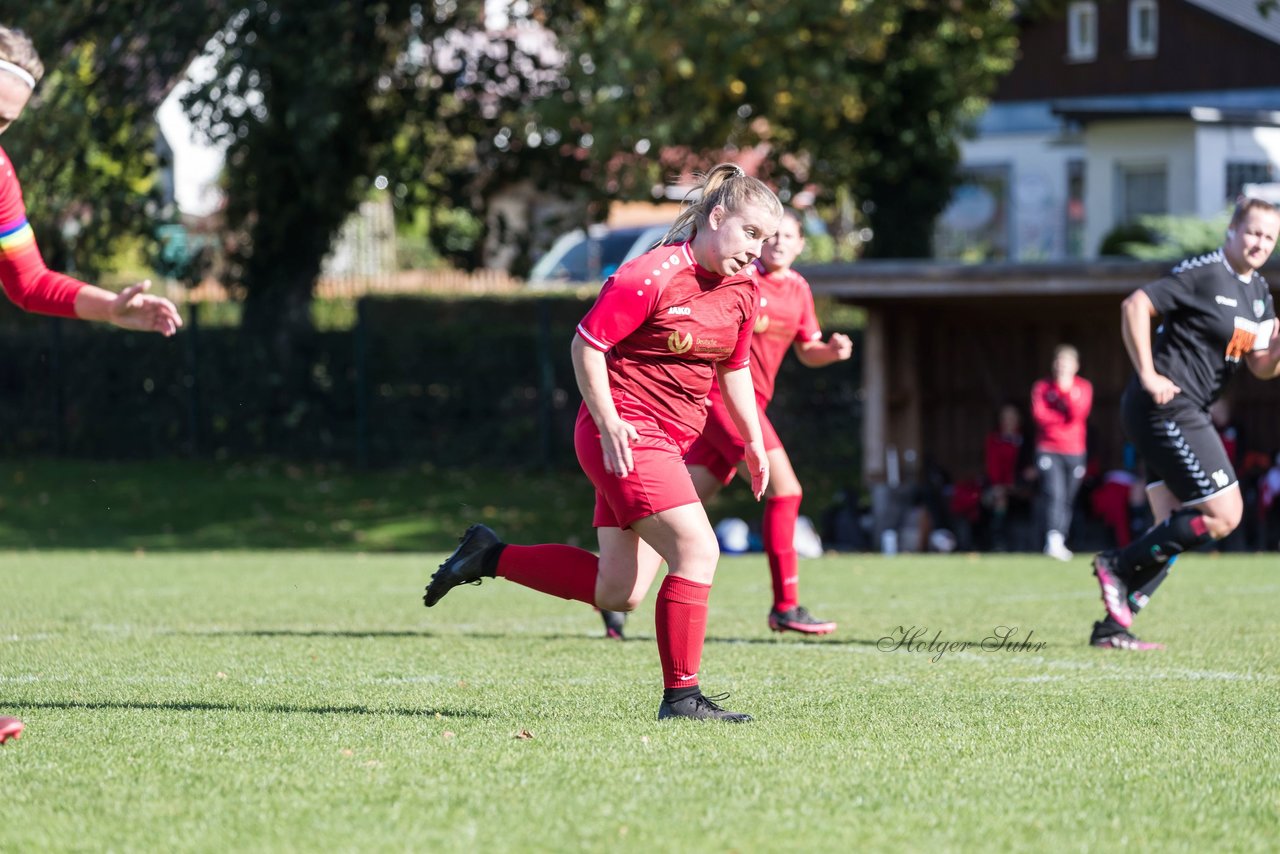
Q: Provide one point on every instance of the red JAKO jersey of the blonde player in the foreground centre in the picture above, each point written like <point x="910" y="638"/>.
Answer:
<point x="664" y="325"/>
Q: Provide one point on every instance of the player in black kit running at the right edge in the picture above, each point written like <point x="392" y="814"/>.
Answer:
<point x="1217" y="313"/>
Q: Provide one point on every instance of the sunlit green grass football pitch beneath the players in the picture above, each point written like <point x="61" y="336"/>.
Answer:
<point x="307" y="701"/>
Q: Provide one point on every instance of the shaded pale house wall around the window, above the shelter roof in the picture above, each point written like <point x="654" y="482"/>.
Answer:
<point x="1116" y="144"/>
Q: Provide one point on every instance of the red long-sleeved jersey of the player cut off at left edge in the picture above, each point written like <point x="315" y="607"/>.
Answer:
<point x="28" y="282"/>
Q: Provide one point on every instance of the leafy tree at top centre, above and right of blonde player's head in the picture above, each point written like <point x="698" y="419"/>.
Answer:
<point x="861" y="97"/>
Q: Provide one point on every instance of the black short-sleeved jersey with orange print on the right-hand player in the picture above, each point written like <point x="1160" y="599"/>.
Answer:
<point x="1212" y="318"/>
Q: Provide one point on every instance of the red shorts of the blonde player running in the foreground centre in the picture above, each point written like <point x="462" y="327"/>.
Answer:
<point x="660" y="481"/>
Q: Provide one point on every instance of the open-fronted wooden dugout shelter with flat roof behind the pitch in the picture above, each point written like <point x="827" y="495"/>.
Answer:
<point x="947" y="345"/>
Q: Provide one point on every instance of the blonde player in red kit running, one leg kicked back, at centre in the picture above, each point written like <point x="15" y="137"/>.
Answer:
<point x="665" y="327"/>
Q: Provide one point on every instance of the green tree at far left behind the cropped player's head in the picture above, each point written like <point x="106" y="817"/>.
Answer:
<point x="86" y="149"/>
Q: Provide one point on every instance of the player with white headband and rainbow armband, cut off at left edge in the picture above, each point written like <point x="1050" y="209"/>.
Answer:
<point x="28" y="282"/>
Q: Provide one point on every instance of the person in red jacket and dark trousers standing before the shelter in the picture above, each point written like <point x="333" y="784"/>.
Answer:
<point x="1060" y="408"/>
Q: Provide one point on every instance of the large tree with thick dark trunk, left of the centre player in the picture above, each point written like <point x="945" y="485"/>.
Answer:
<point x="316" y="103"/>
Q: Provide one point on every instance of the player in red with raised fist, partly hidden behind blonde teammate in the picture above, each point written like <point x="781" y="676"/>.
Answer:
<point x="787" y="321"/>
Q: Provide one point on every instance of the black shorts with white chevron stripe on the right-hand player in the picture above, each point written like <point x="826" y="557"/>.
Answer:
<point x="1178" y="444"/>
